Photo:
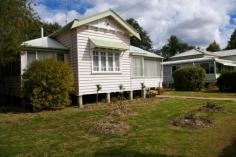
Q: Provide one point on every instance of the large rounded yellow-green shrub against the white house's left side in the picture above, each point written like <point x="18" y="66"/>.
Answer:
<point x="47" y="84"/>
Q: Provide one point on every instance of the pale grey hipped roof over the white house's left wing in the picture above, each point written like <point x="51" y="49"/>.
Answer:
<point x="44" y="42"/>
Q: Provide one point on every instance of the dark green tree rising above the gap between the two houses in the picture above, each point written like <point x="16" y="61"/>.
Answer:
<point x="174" y="46"/>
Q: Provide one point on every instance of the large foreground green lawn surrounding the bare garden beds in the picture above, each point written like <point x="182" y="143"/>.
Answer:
<point x="69" y="132"/>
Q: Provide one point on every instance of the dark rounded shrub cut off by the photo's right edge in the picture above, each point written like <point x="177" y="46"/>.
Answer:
<point x="226" y="81"/>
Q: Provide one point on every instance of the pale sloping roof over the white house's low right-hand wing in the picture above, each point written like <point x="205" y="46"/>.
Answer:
<point x="136" y="51"/>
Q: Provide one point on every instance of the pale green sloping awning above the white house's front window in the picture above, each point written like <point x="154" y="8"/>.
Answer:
<point x="108" y="44"/>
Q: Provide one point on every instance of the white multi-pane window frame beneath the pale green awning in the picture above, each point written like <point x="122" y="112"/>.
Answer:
<point x="107" y="66"/>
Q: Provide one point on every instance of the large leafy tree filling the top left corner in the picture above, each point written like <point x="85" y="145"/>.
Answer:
<point x="15" y="19"/>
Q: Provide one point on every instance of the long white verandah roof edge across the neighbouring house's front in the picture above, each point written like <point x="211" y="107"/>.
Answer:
<point x="203" y="59"/>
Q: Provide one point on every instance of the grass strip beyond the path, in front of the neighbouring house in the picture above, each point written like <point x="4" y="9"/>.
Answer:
<point x="203" y="93"/>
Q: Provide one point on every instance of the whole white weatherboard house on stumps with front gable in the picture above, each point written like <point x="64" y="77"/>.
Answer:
<point x="98" y="49"/>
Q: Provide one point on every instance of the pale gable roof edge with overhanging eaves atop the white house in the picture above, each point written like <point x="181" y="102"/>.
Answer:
<point x="87" y="19"/>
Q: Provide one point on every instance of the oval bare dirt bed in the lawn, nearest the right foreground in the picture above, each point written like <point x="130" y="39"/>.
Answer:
<point x="192" y="121"/>
